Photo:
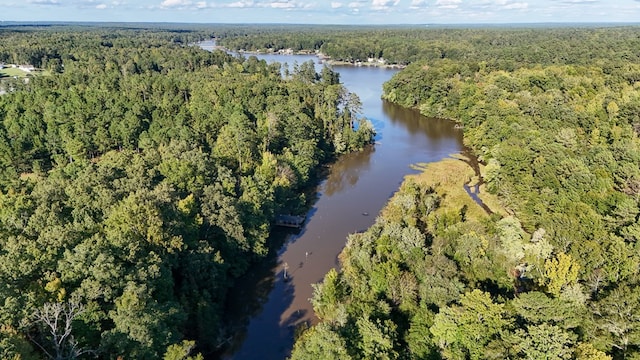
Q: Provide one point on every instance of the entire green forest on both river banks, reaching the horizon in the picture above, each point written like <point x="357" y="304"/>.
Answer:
<point x="141" y="177"/>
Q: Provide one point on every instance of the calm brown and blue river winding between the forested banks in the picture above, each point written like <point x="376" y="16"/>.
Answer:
<point x="264" y="306"/>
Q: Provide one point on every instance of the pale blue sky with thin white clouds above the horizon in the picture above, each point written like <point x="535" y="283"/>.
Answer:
<point x="324" y="11"/>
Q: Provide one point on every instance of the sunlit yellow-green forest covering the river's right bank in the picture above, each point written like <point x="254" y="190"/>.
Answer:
<point x="555" y="279"/>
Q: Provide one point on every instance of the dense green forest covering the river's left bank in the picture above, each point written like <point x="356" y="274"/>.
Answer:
<point x="140" y="179"/>
